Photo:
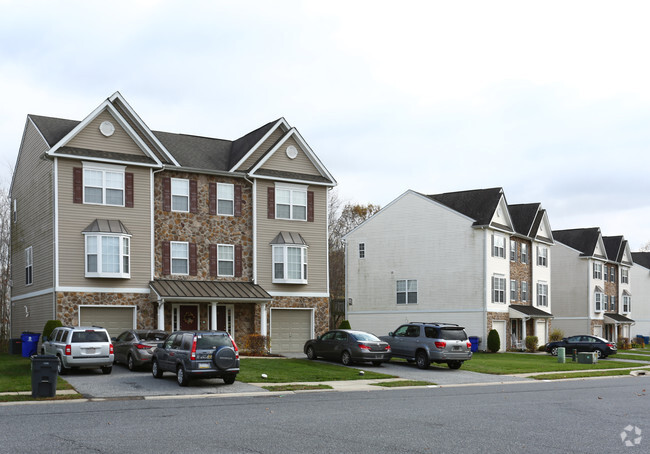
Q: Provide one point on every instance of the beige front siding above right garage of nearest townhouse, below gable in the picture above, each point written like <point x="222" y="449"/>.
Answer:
<point x="314" y="233"/>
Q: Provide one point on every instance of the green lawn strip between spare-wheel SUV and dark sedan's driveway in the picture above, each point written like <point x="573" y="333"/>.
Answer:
<point x="298" y="370"/>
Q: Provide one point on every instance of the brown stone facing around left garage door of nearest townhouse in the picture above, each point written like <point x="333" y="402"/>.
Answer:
<point x="67" y="306"/>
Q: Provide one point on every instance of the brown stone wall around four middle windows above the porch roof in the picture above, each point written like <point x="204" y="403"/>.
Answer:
<point x="202" y="228"/>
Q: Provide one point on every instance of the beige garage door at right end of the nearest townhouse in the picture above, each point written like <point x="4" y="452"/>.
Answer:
<point x="290" y="329"/>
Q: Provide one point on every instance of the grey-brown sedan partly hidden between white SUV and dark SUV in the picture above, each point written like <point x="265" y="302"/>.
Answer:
<point x="135" y="347"/>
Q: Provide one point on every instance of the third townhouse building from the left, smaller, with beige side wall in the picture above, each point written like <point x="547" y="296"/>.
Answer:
<point x="591" y="283"/>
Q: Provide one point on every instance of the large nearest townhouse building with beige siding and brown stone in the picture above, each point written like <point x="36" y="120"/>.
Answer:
<point x="120" y="226"/>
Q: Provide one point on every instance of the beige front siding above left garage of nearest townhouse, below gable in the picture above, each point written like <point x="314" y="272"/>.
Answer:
<point x="75" y="217"/>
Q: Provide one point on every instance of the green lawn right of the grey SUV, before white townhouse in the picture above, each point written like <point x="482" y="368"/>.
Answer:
<point x="518" y="363"/>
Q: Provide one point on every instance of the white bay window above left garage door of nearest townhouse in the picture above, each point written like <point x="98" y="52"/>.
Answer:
<point x="108" y="256"/>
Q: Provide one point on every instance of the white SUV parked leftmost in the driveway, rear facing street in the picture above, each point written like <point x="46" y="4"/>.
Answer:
<point x="80" y="347"/>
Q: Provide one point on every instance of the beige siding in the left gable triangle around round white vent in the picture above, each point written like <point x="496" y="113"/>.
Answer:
<point x="91" y="138"/>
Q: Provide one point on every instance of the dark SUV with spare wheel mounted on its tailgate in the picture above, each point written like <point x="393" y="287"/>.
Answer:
<point x="197" y="354"/>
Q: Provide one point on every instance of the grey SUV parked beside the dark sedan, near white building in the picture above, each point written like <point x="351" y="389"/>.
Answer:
<point x="426" y="343"/>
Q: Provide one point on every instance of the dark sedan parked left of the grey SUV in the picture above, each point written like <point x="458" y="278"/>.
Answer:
<point x="348" y="346"/>
